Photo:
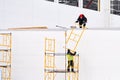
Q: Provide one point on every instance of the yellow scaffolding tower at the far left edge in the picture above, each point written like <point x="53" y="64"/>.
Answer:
<point x="5" y="55"/>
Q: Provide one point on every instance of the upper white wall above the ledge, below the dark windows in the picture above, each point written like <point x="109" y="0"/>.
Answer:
<point x="44" y="13"/>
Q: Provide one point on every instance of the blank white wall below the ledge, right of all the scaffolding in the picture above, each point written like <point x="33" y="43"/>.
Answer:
<point x="99" y="52"/>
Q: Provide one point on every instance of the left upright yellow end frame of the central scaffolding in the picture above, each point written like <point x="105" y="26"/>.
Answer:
<point x="49" y="63"/>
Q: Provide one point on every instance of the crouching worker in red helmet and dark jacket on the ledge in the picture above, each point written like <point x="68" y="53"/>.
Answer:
<point x="82" y="20"/>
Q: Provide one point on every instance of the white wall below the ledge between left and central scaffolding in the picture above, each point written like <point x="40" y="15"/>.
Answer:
<point x="28" y="53"/>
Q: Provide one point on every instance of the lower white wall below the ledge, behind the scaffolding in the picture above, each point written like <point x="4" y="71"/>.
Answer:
<point x="98" y="49"/>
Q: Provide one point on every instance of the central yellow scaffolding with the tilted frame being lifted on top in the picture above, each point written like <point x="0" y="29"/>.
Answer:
<point x="50" y="69"/>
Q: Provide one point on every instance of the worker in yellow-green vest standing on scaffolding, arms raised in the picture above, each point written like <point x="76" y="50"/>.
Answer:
<point x="70" y="60"/>
